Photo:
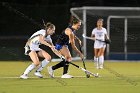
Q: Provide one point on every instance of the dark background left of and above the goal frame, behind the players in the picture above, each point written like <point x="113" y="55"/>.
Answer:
<point x="16" y="29"/>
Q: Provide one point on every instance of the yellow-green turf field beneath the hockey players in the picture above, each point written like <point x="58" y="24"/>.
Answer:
<point x="116" y="77"/>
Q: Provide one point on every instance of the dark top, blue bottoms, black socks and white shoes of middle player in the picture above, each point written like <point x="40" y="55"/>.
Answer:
<point x="63" y="40"/>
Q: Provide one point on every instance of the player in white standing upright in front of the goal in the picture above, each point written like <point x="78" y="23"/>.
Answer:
<point x="99" y="34"/>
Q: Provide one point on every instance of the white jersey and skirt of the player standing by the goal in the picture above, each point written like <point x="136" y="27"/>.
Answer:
<point x="100" y="35"/>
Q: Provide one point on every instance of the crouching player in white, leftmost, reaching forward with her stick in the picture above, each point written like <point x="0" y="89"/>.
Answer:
<point x="32" y="49"/>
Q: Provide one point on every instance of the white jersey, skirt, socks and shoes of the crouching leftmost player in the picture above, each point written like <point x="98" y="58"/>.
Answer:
<point x="33" y="45"/>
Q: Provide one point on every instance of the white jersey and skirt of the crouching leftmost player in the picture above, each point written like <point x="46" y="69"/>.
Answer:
<point x="34" y="41"/>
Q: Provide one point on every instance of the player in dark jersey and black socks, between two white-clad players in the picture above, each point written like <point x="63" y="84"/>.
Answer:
<point x="66" y="37"/>
